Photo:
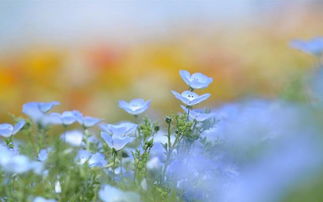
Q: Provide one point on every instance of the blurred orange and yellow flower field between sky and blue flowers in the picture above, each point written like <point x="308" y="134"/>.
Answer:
<point x="250" y="60"/>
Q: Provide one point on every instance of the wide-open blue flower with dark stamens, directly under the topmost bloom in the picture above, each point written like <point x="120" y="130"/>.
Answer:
<point x="190" y="98"/>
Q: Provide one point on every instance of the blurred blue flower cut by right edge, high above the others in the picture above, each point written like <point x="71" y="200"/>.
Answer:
<point x="313" y="46"/>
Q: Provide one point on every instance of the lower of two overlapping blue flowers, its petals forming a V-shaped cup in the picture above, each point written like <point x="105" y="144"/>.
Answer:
<point x="114" y="141"/>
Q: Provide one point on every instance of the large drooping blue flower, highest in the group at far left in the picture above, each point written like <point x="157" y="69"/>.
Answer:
<point x="37" y="110"/>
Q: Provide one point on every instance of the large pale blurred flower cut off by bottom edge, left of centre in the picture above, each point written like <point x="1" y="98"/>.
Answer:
<point x="111" y="194"/>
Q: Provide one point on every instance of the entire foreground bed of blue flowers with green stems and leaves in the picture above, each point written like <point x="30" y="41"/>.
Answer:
<point x="247" y="151"/>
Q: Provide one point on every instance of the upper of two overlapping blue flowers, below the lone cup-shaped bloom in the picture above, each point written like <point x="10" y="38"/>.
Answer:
<point x="121" y="129"/>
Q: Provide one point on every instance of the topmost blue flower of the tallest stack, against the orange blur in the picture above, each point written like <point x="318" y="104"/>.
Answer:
<point x="196" y="80"/>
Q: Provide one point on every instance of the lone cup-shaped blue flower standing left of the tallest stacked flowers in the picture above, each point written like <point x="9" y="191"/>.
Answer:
<point x="135" y="106"/>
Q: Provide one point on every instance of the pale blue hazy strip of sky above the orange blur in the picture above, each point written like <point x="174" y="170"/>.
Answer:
<point x="63" y="20"/>
